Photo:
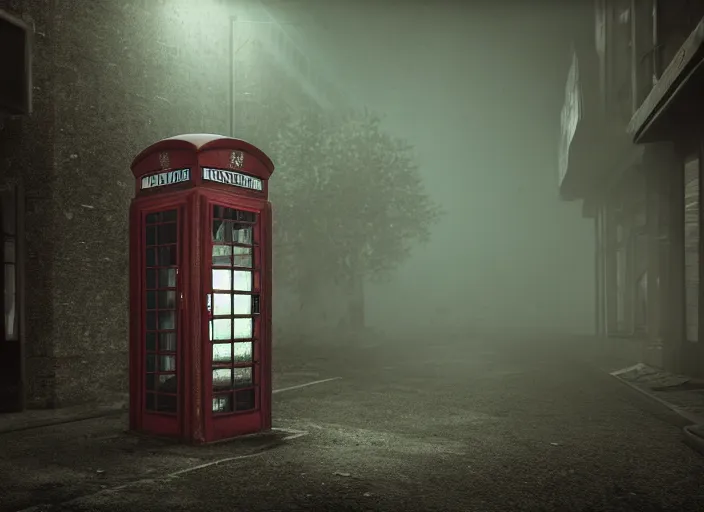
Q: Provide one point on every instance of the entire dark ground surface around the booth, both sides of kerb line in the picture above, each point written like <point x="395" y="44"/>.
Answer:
<point x="406" y="425"/>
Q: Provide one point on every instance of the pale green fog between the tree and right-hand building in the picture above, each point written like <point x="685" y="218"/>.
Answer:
<point x="477" y="90"/>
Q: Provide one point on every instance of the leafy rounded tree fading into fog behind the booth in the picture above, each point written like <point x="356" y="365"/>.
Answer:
<point x="350" y="202"/>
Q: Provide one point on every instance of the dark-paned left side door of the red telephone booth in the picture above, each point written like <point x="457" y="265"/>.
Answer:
<point x="161" y="330"/>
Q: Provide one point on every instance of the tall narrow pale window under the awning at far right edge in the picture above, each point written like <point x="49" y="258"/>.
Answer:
<point x="691" y="248"/>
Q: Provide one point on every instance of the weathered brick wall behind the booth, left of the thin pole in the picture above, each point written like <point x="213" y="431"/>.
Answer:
<point x="111" y="76"/>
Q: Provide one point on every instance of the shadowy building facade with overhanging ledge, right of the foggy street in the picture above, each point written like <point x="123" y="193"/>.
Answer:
<point x="631" y="152"/>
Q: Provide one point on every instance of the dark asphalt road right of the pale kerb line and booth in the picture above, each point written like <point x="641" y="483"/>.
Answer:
<point x="472" y="427"/>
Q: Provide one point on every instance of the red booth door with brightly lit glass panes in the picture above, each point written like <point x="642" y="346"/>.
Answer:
<point x="234" y="349"/>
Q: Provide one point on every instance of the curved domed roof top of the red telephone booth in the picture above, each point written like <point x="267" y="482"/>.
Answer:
<point x="199" y="142"/>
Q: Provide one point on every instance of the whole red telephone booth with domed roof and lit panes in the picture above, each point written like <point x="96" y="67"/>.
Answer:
<point x="200" y="289"/>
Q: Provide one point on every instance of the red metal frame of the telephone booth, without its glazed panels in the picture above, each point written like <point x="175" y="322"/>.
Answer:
<point x="195" y="422"/>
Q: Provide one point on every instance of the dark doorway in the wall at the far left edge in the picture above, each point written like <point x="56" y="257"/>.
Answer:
<point x="11" y="349"/>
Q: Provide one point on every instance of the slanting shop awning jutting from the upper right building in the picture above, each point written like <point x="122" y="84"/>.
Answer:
<point x="676" y="96"/>
